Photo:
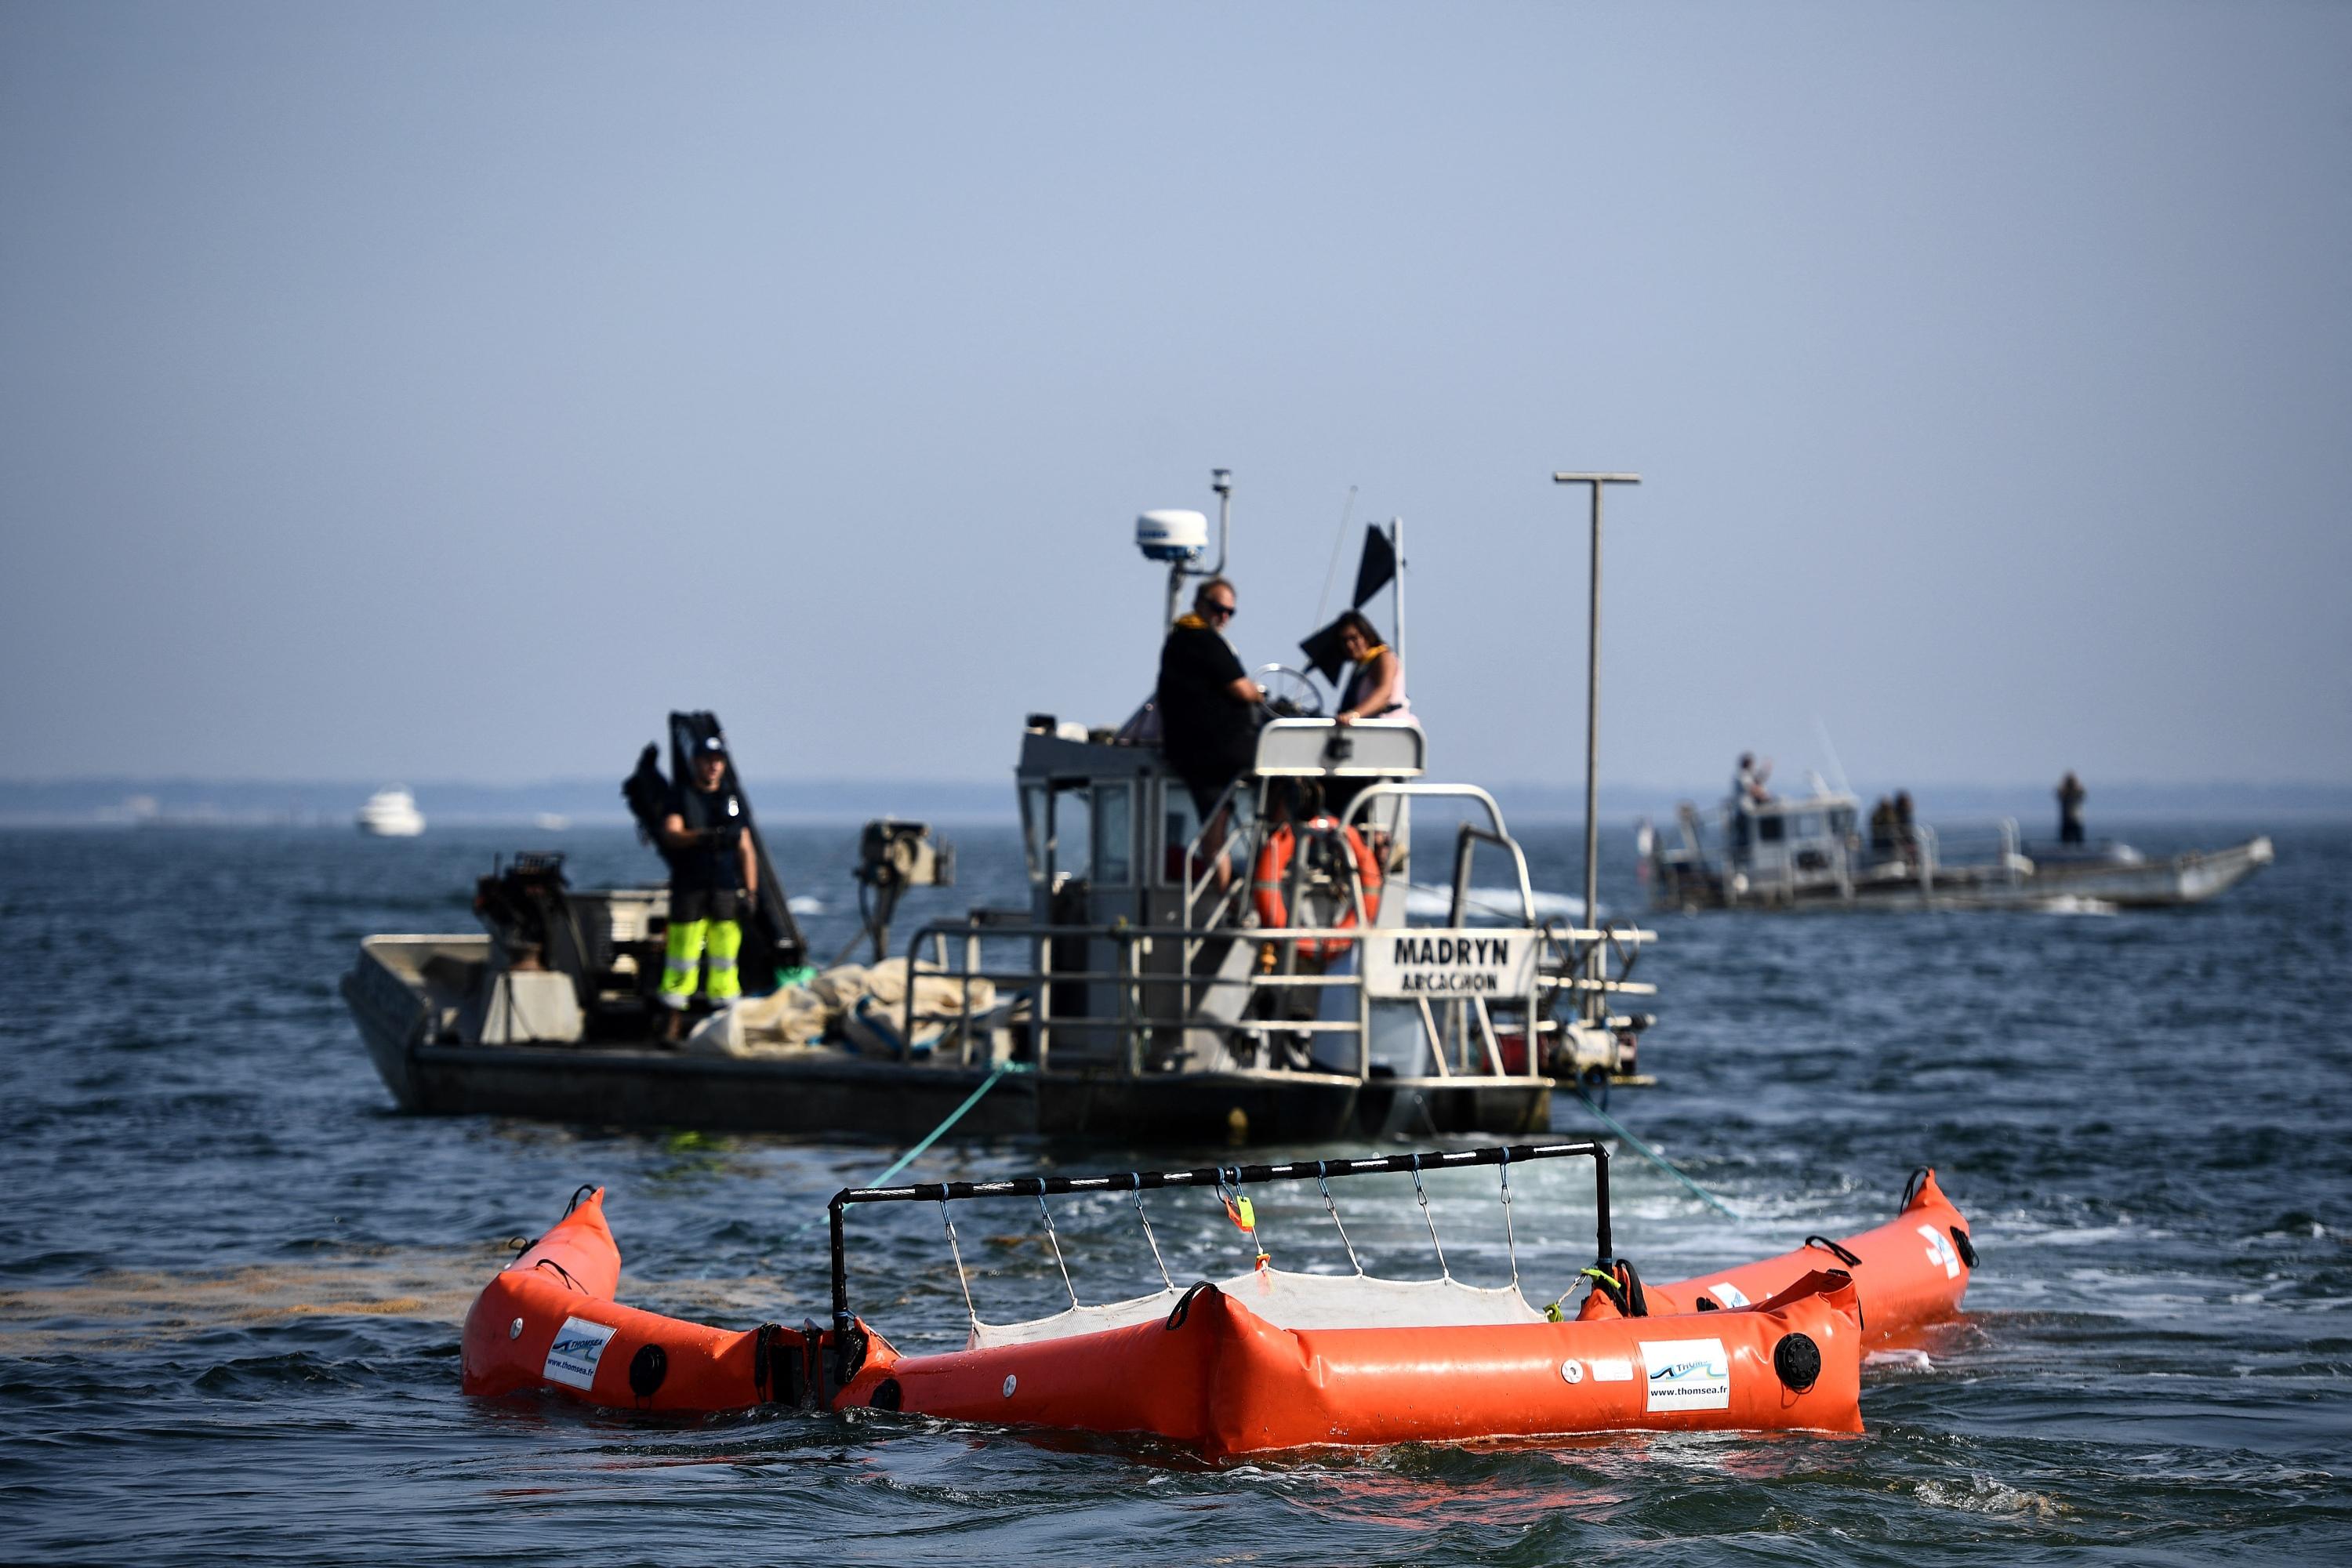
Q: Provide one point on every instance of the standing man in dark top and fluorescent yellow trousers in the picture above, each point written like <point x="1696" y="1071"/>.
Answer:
<point x="714" y="887"/>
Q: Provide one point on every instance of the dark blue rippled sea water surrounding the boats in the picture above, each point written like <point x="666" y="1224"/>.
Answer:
<point x="232" y="1275"/>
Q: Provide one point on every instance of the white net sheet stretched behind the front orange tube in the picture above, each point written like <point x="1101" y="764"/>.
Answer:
<point x="1295" y="1301"/>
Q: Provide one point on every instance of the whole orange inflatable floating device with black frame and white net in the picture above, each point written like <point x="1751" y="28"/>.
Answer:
<point x="1269" y="1360"/>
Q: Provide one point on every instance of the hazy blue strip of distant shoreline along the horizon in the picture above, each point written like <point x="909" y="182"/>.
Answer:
<point x="582" y="803"/>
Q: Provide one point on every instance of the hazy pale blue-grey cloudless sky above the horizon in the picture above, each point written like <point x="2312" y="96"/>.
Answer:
<point x="448" y="391"/>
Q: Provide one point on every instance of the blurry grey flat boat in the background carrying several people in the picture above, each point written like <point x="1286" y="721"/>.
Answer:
<point x="1810" y="852"/>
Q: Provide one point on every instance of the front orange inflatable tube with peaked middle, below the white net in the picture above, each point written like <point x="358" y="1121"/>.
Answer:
<point x="1220" y="1379"/>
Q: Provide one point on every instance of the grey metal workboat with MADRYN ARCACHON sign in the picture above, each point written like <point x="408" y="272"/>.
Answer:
<point x="1140" y="996"/>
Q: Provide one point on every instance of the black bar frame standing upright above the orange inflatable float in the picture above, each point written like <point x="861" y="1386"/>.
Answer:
<point x="1201" y="1177"/>
